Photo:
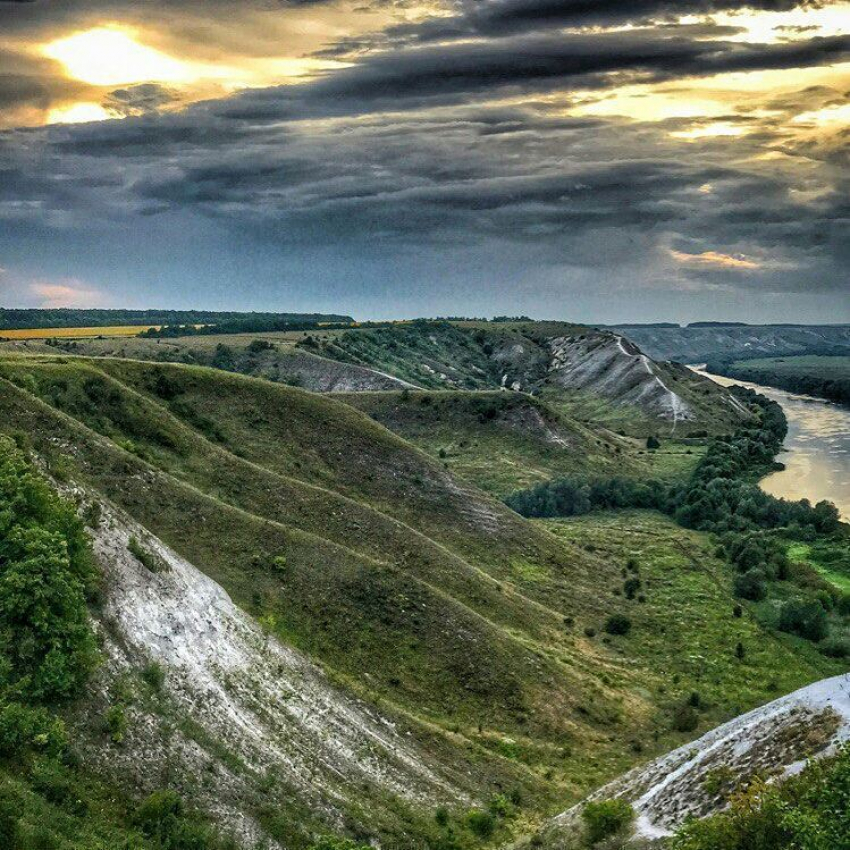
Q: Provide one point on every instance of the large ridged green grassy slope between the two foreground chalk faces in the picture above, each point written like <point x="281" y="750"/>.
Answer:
<point x="467" y="625"/>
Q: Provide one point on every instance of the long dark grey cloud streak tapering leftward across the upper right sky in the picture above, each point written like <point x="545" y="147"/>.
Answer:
<point x="402" y="78"/>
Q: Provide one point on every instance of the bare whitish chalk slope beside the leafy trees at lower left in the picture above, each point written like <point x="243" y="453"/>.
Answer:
<point x="262" y="700"/>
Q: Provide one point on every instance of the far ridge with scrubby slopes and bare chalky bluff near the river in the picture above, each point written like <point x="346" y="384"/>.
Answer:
<point x="593" y="376"/>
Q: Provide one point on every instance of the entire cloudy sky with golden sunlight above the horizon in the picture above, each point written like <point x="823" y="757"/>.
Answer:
<point x="585" y="159"/>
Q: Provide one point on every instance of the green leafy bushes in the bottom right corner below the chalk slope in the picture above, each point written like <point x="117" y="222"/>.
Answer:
<point x="810" y="811"/>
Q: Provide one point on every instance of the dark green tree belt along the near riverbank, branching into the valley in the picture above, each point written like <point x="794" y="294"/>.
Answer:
<point x="755" y="531"/>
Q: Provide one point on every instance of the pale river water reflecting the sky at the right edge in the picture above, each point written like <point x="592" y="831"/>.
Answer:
<point x="817" y="460"/>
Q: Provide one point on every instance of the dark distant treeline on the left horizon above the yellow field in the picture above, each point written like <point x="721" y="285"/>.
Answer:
<point x="74" y="318"/>
